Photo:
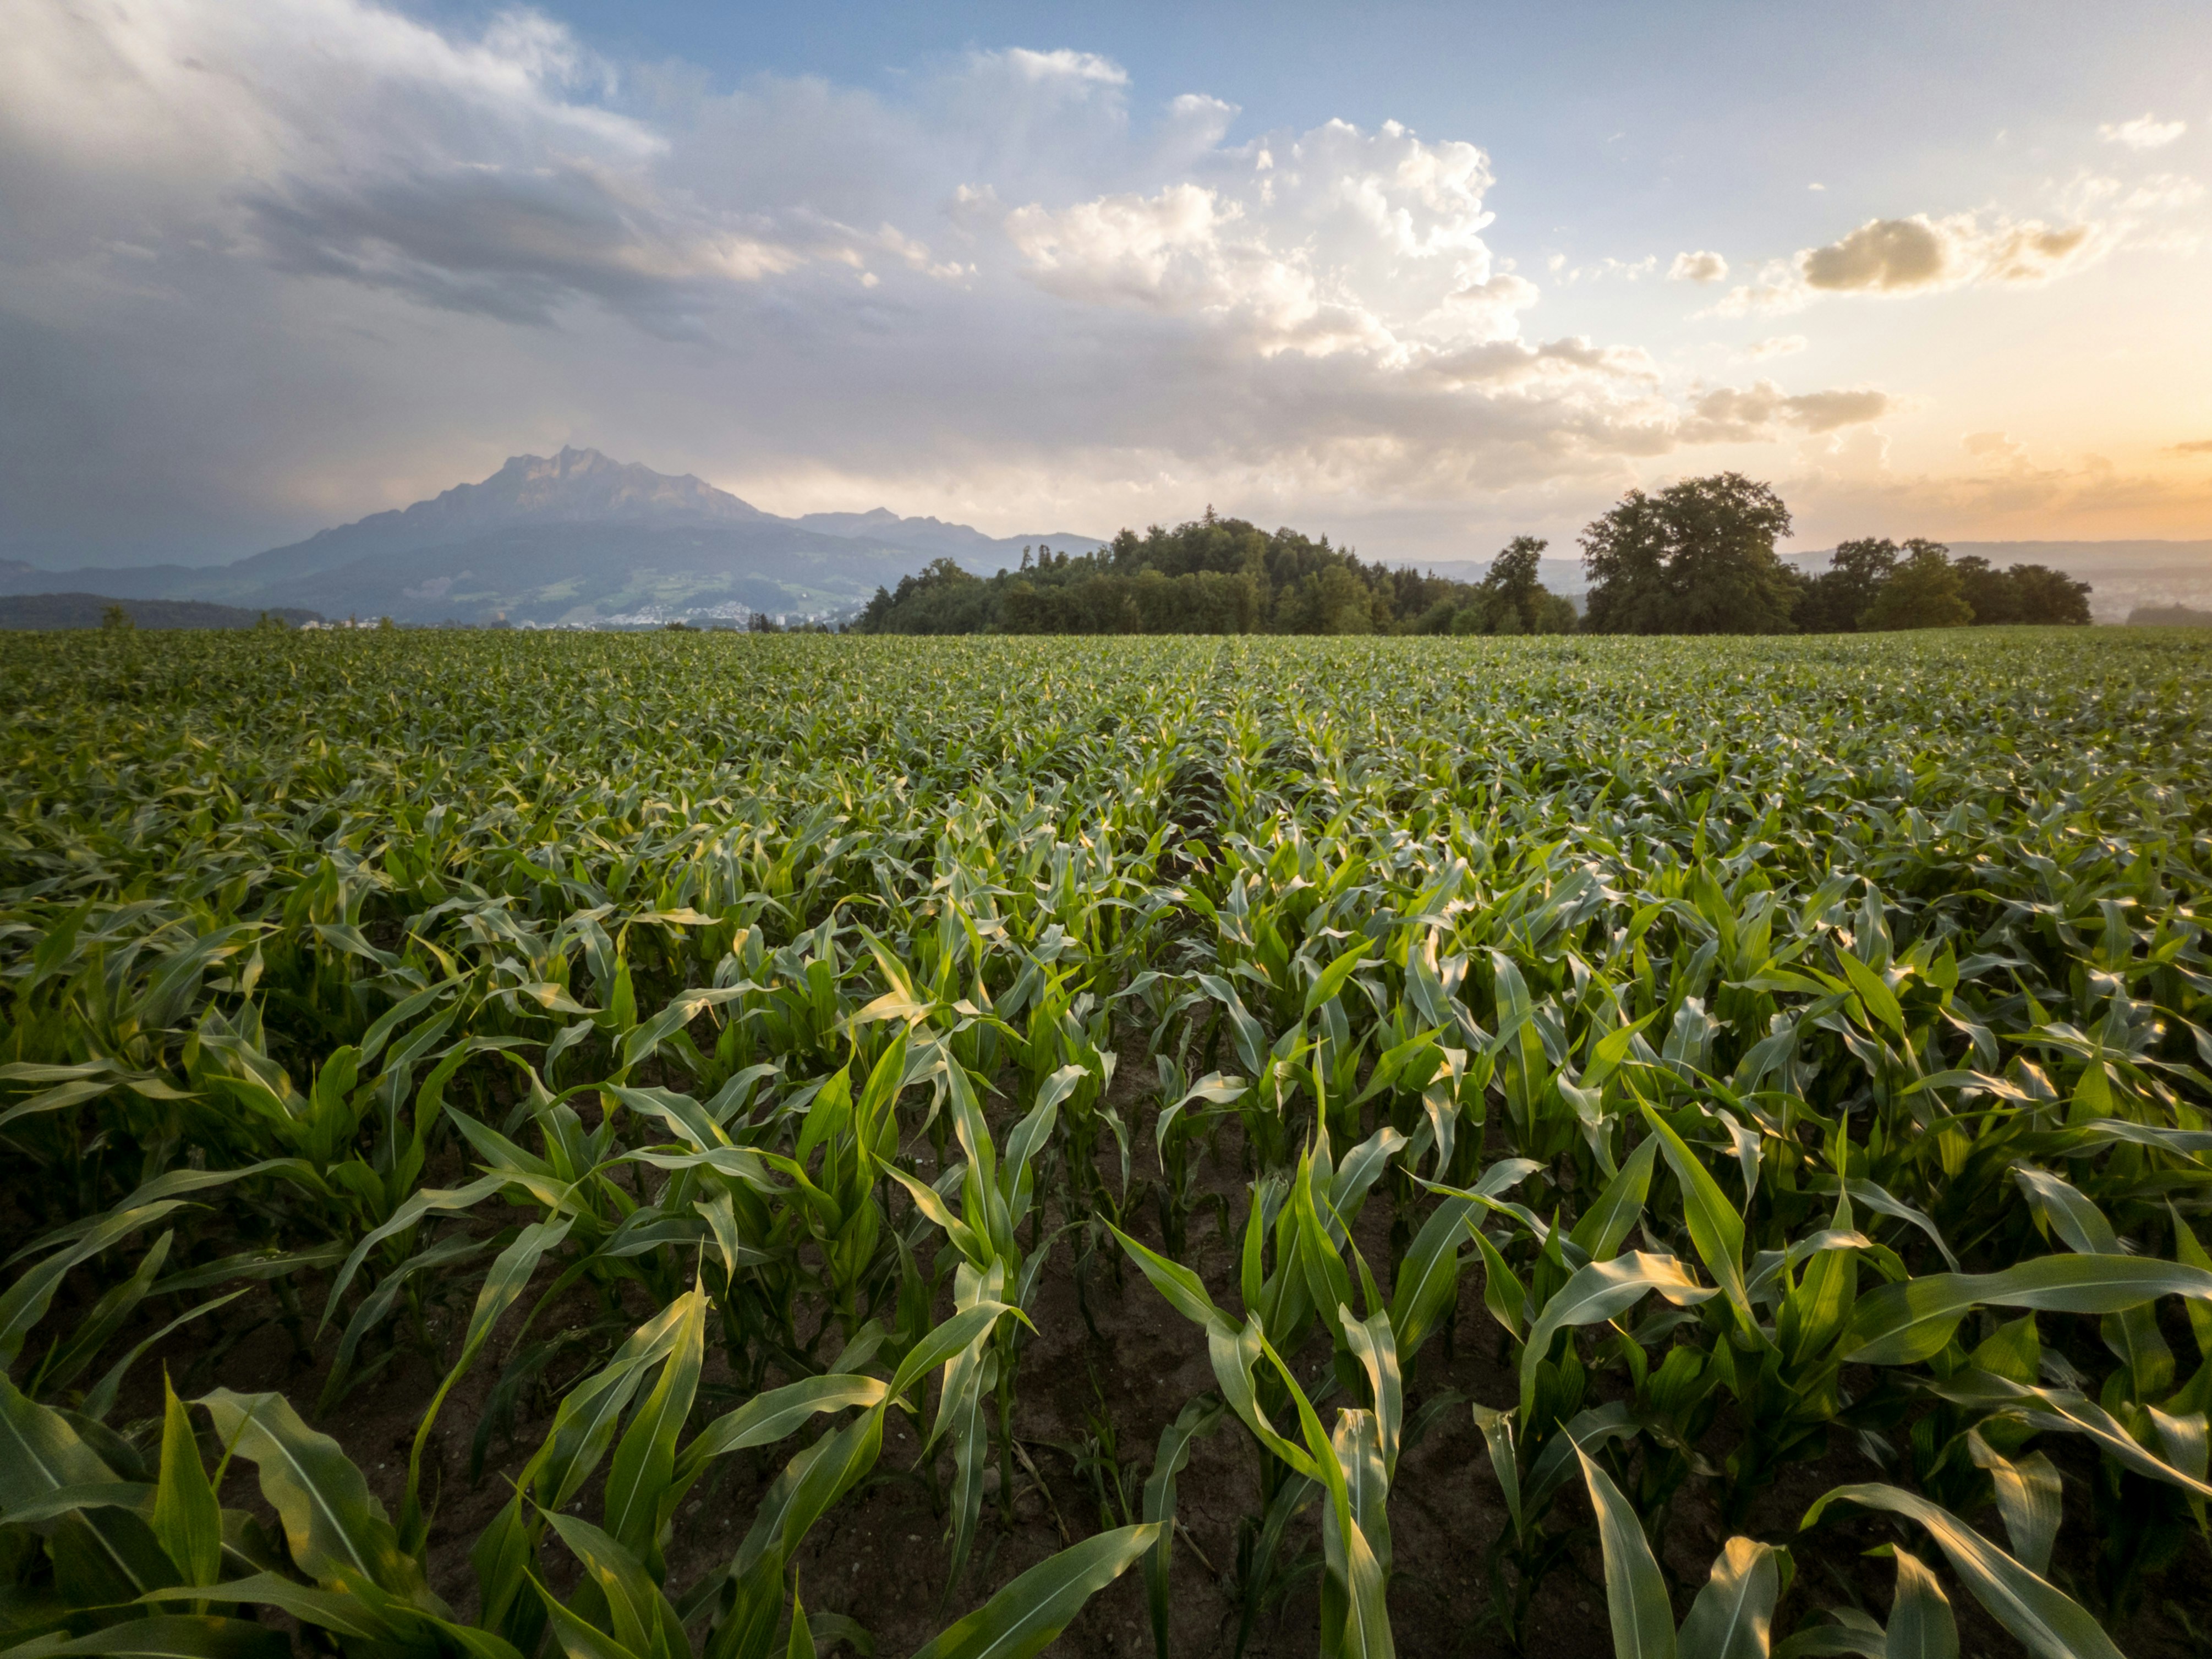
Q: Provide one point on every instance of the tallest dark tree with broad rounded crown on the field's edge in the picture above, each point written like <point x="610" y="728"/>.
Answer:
<point x="1695" y="559"/>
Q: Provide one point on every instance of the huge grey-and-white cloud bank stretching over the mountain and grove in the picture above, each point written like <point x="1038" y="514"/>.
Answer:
<point x="260" y="255"/>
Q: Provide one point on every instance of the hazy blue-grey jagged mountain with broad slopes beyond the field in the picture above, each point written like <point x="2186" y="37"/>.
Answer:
<point x="574" y="541"/>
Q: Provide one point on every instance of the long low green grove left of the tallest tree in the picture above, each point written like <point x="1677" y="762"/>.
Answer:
<point x="1218" y="576"/>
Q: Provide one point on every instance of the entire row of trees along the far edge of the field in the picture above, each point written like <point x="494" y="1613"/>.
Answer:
<point x="1693" y="559"/>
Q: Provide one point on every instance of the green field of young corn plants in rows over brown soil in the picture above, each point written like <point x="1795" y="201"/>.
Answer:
<point x="634" y="1147"/>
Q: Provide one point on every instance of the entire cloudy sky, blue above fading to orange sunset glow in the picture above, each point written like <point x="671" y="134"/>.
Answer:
<point x="1417" y="278"/>
